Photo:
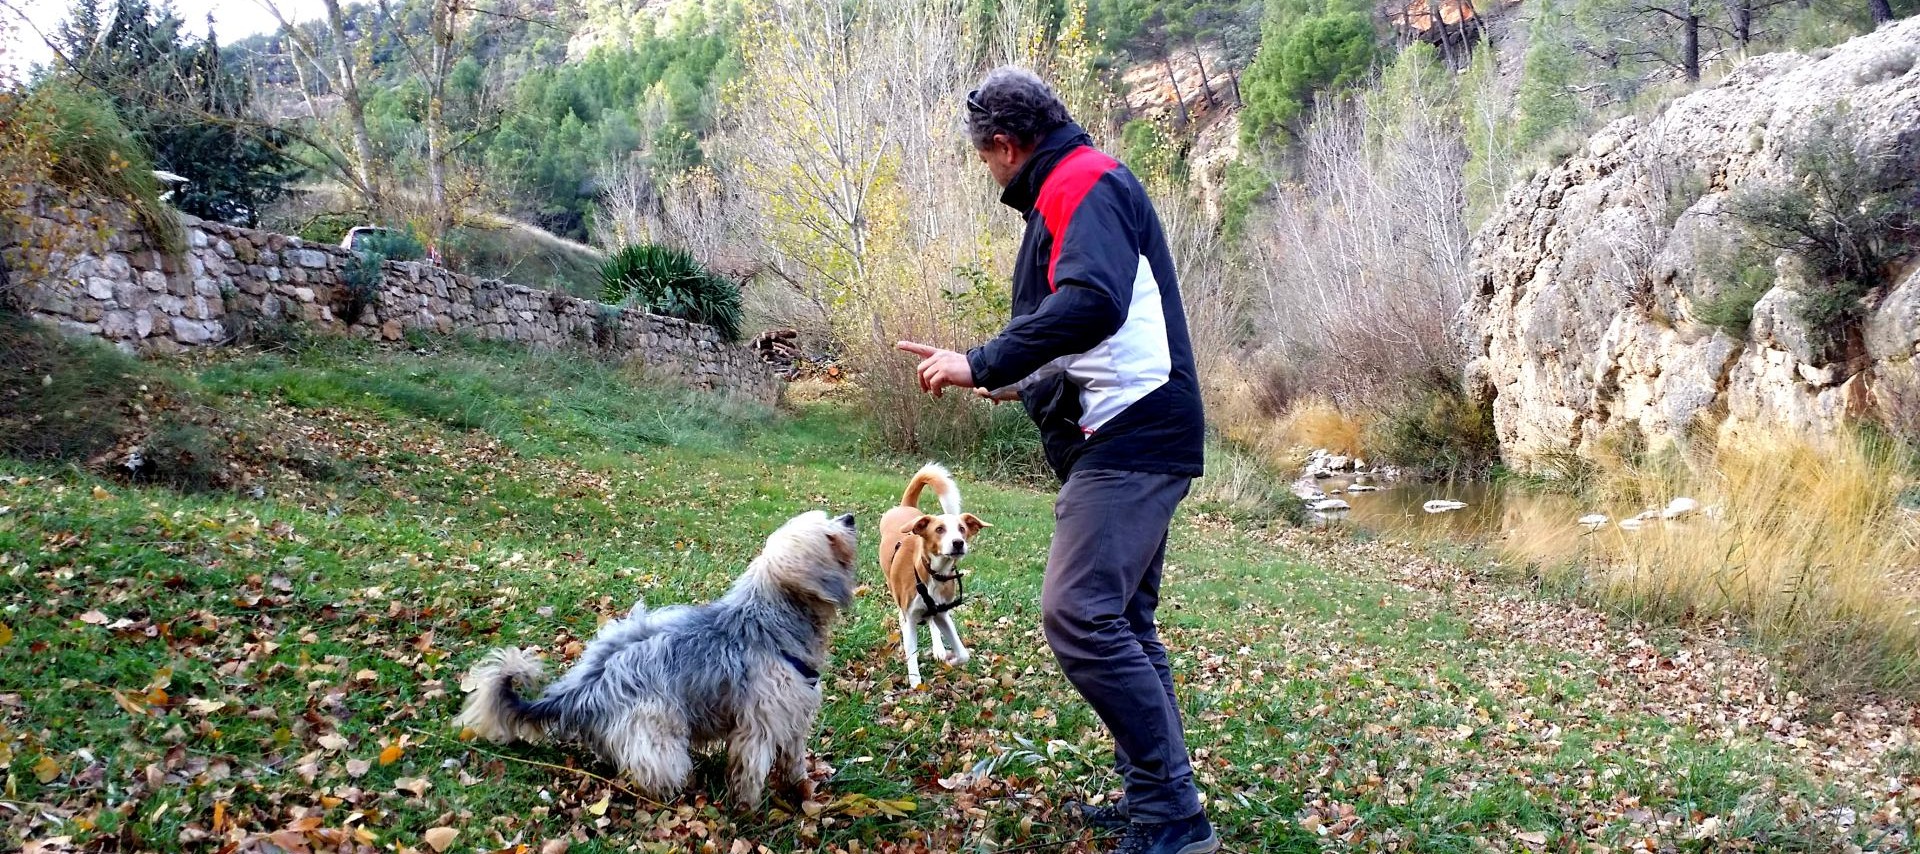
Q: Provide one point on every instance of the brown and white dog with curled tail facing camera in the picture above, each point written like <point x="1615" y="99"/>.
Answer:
<point x="921" y="556"/>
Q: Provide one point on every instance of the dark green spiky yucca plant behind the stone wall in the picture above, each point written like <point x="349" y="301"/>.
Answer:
<point x="671" y="283"/>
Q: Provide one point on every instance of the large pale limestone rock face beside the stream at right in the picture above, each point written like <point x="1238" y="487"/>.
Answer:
<point x="1589" y="283"/>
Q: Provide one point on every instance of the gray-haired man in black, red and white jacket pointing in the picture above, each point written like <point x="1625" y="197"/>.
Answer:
<point x="1099" y="356"/>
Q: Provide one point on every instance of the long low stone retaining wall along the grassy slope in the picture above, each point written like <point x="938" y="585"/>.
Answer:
<point x="233" y="283"/>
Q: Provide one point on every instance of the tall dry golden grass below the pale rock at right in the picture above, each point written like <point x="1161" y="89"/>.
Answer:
<point x="1800" y="540"/>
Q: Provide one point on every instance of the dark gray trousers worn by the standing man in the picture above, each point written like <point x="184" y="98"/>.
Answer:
<point x="1103" y="586"/>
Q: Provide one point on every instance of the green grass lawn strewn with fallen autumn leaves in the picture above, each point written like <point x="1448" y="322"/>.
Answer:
<point x="279" y="665"/>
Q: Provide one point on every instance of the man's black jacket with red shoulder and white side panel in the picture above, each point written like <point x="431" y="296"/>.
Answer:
<point x="1099" y="341"/>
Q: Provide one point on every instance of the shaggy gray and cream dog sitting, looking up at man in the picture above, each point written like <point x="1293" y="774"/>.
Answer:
<point x="654" y="686"/>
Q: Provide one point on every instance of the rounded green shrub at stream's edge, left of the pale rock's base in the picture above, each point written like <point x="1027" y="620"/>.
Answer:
<point x="1439" y="433"/>
